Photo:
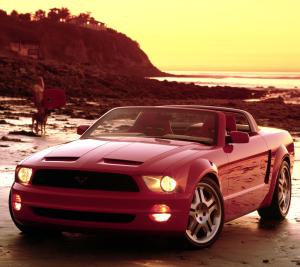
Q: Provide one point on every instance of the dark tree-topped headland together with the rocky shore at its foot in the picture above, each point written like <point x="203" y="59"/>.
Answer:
<point x="85" y="58"/>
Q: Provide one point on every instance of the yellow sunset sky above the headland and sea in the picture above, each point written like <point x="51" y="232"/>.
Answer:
<point x="233" y="35"/>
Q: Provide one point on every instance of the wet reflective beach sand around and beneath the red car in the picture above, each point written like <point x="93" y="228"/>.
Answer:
<point x="244" y="242"/>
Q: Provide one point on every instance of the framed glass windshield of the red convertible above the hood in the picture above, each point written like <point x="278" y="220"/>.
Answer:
<point x="154" y="122"/>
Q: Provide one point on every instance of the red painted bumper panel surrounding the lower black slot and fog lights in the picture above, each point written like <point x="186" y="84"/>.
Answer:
<point x="139" y="204"/>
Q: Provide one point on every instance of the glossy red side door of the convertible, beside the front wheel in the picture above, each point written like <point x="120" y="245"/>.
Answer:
<point x="246" y="170"/>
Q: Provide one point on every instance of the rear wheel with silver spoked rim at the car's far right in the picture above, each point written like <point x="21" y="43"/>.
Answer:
<point x="281" y="199"/>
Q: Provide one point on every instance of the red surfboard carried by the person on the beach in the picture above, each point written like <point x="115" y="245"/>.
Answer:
<point x="54" y="98"/>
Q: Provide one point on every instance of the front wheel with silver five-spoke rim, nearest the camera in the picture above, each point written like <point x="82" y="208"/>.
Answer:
<point x="206" y="215"/>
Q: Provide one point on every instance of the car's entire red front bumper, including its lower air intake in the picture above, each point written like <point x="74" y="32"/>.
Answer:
<point x="138" y="204"/>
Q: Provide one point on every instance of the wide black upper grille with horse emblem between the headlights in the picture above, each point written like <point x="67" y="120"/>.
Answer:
<point x="85" y="180"/>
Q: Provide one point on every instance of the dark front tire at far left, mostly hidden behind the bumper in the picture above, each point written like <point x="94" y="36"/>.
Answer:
<point x="29" y="230"/>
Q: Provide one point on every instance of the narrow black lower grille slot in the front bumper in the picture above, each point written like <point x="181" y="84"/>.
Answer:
<point x="84" y="216"/>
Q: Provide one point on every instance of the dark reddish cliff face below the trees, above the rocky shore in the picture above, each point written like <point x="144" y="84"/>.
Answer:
<point x="106" y="50"/>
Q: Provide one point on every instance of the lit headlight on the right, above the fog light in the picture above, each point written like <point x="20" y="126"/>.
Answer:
<point x="160" y="183"/>
